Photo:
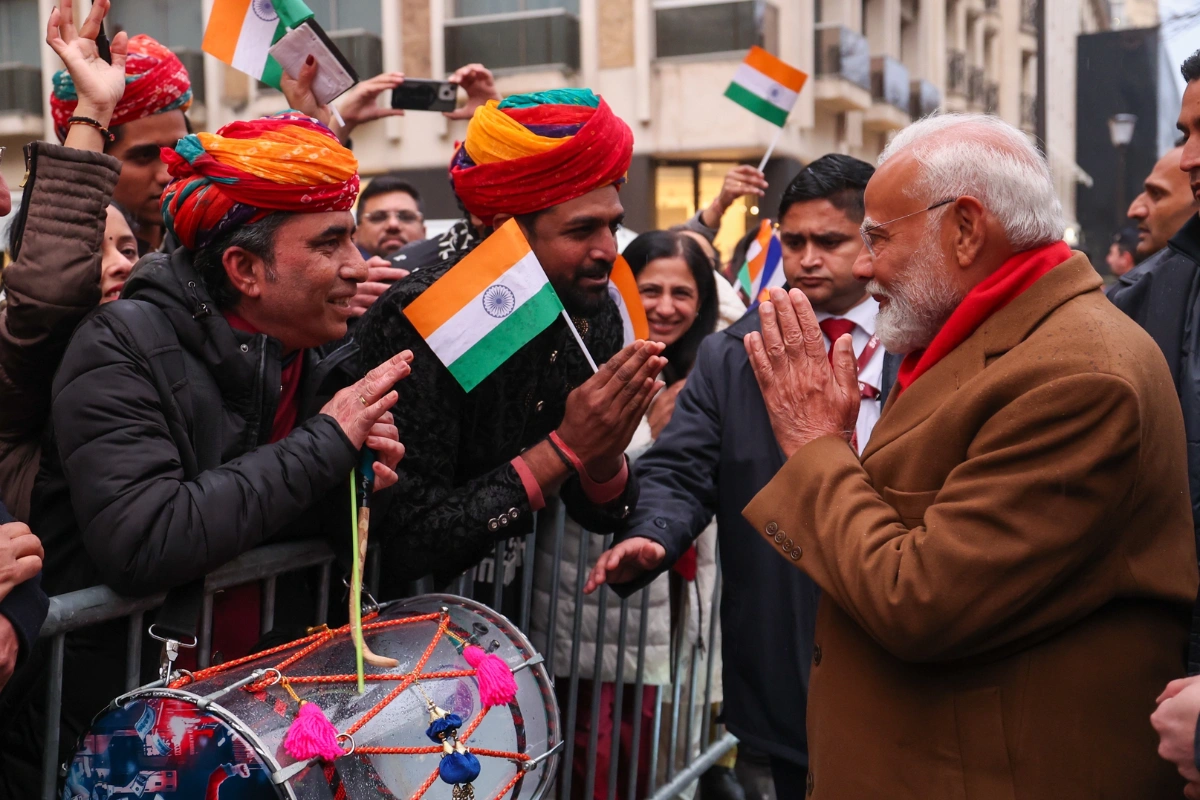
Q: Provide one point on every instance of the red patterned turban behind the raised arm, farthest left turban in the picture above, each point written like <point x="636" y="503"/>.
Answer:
<point x="155" y="82"/>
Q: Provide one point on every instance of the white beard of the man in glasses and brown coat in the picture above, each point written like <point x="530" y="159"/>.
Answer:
<point x="919" y="304"/>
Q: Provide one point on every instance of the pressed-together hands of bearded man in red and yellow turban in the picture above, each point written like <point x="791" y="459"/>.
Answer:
<point x="603" y="414"/>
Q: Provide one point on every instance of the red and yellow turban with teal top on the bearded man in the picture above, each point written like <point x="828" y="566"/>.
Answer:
<point x="530" y="153"/>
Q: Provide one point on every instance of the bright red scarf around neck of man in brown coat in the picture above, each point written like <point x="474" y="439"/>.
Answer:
<point x="992" y="294"/>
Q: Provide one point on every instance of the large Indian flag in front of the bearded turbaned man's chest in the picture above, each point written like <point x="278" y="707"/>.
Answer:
<point x="487" y="308"/>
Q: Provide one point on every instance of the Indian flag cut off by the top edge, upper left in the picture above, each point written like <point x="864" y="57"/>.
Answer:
<point x="242" y="32"/>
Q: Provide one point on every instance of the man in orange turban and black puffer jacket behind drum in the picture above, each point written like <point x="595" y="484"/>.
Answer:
<point x="199" y="417"/>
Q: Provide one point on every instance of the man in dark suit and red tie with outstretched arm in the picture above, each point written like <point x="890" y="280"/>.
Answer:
<point x="718" y="453"/>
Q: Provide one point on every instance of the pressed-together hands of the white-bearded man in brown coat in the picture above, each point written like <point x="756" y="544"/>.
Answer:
<point x="806" y="399"/>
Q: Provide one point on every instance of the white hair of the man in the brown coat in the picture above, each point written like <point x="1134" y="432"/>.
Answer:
<point x="992" y="161"/>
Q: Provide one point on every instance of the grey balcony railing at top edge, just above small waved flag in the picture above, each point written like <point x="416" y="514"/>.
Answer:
<point x="683" y="31"/>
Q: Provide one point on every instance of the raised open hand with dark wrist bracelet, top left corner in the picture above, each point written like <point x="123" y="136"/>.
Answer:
<point x="99" y="85"/>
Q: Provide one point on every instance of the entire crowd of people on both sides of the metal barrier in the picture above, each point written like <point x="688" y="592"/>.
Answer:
<point x="956" y="489"/>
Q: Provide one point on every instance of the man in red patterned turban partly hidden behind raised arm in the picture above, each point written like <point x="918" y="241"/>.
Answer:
<point x="149" y="117"/>
